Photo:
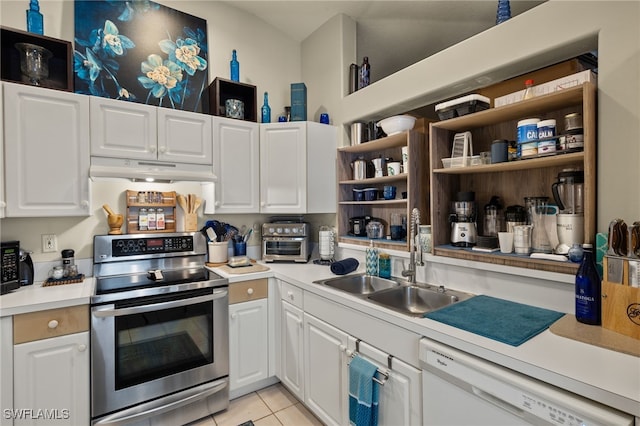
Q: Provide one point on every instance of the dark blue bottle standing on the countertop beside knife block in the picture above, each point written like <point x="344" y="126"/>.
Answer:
<point x="588" y="289"/>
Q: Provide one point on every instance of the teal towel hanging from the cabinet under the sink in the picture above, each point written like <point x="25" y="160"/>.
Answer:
<point x="363" y="393"/>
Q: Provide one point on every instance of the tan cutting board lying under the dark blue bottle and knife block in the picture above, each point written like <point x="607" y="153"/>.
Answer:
<point x="570" y="328"/>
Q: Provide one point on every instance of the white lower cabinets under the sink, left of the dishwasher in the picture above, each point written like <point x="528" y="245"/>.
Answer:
<point x="315" y="357"/>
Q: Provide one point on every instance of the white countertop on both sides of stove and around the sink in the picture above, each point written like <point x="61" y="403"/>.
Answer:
<point x="603" y="375"/>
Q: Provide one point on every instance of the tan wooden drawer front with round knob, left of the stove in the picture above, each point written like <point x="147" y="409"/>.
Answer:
<point x="51" y="323"/>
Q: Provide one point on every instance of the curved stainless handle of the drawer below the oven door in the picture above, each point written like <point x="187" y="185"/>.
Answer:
<point x="163" y="405"/>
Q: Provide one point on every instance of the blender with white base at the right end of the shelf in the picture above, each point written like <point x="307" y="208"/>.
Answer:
<point x="568" y="193"/>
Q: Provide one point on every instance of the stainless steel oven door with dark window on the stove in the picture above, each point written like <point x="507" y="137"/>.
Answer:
<point x="152" y="346"/>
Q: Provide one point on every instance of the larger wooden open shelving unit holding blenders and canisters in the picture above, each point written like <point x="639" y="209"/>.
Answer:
<point x="513" y="180"/>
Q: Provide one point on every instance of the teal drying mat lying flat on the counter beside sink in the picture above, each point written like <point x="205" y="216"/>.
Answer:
<point x="498" y="319"/>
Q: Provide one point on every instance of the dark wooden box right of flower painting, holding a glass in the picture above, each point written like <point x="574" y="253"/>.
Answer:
<point x="221" y="90"/>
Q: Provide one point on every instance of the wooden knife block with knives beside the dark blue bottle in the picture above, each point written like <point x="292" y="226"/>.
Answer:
<point x="621" y="303"/>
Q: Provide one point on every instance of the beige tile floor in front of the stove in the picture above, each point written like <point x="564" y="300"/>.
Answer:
<point x="272" y="406"/>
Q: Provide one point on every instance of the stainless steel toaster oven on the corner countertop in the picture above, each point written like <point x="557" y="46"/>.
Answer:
<point x="286" y="242"/>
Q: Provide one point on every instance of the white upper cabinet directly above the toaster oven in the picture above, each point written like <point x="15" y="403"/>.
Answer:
<point x="297" y="168"/>
